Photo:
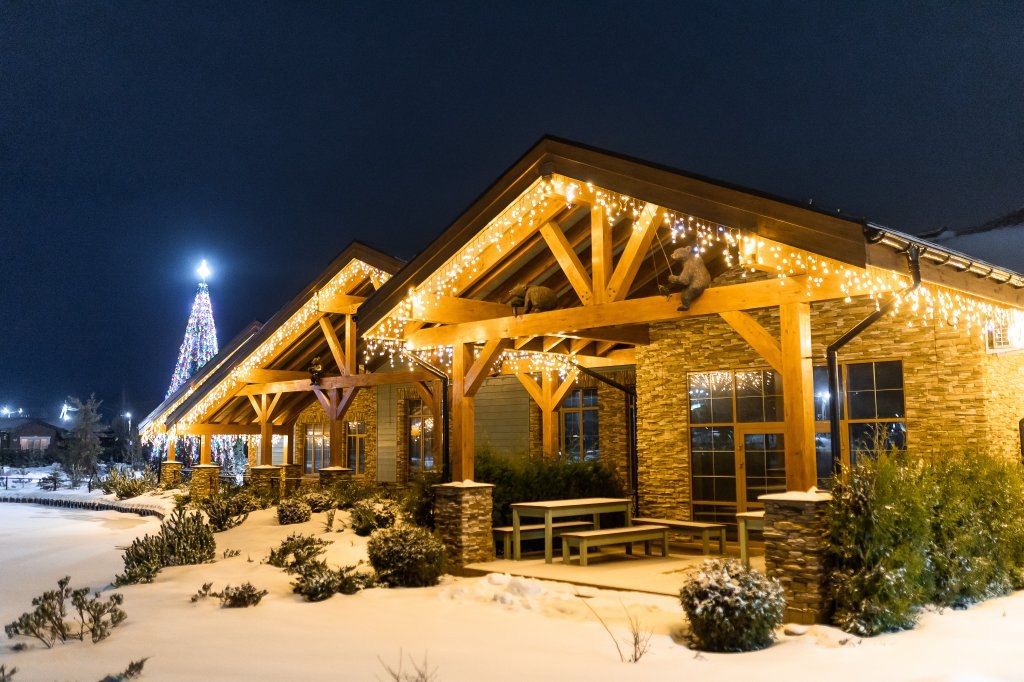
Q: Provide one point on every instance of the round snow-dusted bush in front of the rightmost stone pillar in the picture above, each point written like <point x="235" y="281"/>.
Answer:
<point x="732" y="608"/>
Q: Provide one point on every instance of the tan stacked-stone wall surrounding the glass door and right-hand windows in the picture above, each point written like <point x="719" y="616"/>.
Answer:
<point x="957" y="396"/>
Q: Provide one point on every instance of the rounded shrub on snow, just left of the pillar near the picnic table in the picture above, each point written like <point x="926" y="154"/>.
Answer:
<point x="407" y="557"/>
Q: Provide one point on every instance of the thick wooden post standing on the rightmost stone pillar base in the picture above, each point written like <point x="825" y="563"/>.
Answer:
<point x="798" y="387"/>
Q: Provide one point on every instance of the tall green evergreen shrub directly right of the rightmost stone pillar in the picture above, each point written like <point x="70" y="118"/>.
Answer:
<point x="880" y="528"/>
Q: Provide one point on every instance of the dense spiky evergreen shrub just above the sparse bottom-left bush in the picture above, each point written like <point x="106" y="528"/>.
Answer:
<point x="183" y="540"/>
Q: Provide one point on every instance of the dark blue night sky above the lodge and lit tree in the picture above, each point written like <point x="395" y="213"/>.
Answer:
<point x="139" y="139"/>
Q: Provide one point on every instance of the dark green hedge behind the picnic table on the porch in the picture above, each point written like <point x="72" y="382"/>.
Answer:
<point x="532" y="479"/>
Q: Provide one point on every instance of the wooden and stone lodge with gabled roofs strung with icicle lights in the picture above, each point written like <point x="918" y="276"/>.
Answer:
<point x="700" y="412"/>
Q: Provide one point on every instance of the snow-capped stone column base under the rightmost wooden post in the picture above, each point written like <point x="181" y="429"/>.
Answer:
<point x="796" y="552"/>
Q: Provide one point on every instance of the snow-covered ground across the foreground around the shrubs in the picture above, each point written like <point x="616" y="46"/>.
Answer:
<point x="492" y="628"/>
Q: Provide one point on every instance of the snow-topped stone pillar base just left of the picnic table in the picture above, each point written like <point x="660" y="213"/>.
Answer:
<point x="462" y="517"/>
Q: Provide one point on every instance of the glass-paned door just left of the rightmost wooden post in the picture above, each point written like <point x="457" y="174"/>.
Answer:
<point x="761" y="460"/>
